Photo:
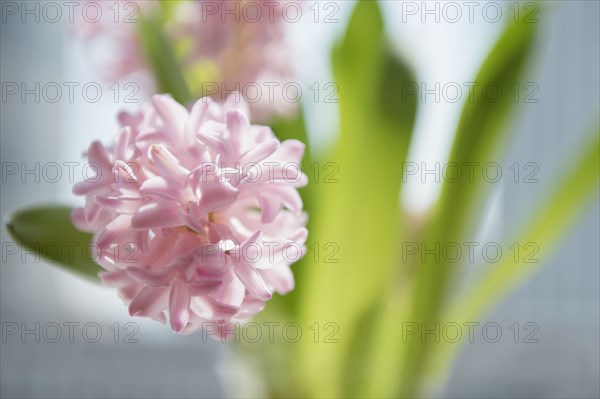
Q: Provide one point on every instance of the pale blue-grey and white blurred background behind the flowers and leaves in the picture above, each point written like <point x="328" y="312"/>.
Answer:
<point x="562" y="299"/>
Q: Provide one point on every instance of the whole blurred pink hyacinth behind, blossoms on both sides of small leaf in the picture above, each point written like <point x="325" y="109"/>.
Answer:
<point x="238" y="50"/>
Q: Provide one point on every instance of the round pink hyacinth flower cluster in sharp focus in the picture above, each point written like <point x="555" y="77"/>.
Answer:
<point x="205" y="207"/>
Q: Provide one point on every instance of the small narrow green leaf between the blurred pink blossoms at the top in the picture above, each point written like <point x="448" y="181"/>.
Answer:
<point x="159" y="54"/>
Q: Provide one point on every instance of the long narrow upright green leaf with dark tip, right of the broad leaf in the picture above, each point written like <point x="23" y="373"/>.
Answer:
<point x="480" y="135"/>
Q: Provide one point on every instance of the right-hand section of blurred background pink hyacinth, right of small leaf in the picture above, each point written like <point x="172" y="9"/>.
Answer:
<point x="247" y="42"/>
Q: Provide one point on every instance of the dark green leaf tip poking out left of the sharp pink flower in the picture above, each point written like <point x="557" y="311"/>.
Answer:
<point x="48" y="231"/>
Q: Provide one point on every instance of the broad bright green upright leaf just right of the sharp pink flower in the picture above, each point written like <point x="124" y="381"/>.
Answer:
<point x="358" y="213"/>
